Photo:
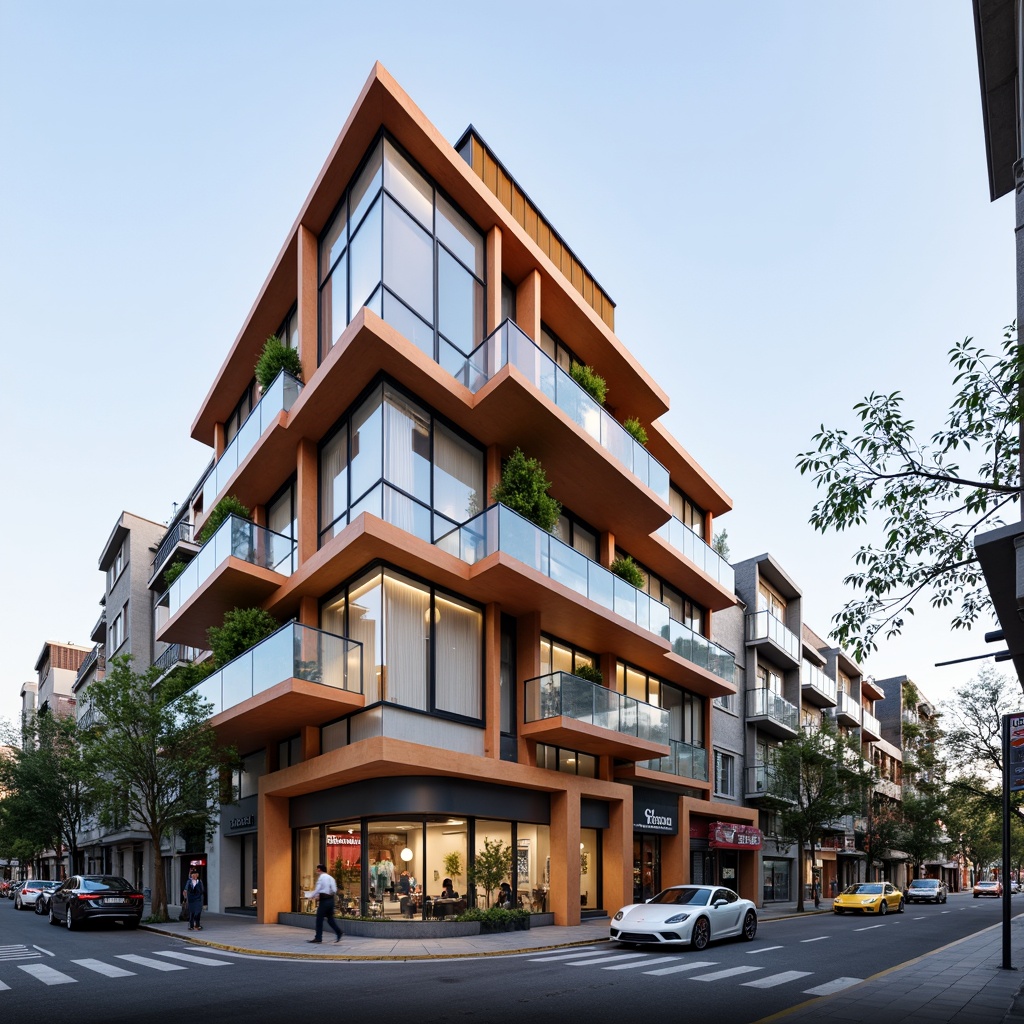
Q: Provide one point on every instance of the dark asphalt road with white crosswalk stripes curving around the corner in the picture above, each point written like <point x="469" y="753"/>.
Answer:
<point x="106" y="975"/>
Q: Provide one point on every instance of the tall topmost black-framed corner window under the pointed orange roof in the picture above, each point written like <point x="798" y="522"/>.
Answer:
<point x="401" y="248"/>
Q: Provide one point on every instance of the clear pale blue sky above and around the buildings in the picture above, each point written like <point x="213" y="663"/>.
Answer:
<point x="788" y="201"/>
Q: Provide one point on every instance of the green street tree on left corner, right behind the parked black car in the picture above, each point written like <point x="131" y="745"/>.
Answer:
<point x="159" y="764"/>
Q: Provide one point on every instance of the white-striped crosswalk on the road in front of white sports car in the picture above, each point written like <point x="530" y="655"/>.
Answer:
<point x="696" y="970"/>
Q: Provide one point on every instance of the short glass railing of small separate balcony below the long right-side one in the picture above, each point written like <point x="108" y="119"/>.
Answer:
<point x="563" y="695"/>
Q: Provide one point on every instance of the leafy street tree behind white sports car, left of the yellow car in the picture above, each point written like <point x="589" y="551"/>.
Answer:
<point x="815" y="781"/>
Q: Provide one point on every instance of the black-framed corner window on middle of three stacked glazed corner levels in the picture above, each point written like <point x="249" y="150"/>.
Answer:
<point x="393" y="459"/>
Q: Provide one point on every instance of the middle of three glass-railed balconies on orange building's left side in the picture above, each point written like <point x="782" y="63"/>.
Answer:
<point x="239" y="567"/>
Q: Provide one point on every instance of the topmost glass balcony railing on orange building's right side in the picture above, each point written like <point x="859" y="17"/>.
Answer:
<point x="509" y="347"/>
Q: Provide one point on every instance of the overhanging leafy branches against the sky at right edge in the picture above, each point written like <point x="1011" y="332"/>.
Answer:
<point x="932" y="504"/>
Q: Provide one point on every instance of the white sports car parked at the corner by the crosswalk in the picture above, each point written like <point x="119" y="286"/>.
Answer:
<point x="695" y="915"/>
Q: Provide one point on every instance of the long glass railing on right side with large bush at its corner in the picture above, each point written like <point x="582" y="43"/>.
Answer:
<point x="499" y="529"/>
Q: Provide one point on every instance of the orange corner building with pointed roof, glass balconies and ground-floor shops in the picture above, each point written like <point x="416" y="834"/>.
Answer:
<point x="426" y="696"/>
